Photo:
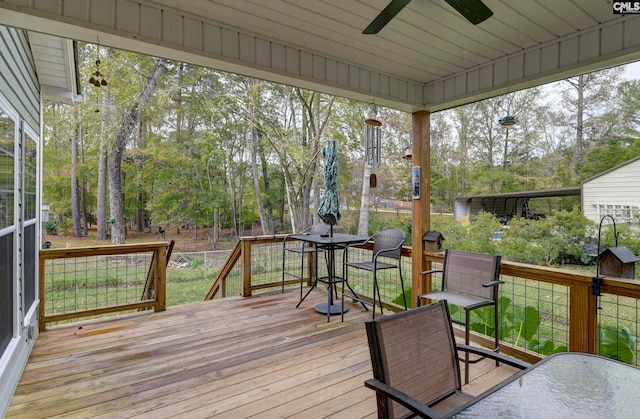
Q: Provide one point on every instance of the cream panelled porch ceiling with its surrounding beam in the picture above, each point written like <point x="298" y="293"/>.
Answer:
<point x="427" y="57"/>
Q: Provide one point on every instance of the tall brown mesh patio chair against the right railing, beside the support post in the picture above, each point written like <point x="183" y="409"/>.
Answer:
<point x="470" y="281"/>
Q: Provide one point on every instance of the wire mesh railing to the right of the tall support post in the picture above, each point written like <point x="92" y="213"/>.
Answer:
<point x="547" y="310"/>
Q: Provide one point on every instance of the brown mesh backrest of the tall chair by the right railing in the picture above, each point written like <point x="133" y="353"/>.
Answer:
<point x="466" y="272"/>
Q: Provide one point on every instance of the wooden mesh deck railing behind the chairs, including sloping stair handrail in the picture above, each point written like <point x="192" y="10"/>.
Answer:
<point x="559" y="301"/>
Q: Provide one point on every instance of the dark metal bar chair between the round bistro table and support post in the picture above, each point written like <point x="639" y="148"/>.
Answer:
<point x="387" y="244"/>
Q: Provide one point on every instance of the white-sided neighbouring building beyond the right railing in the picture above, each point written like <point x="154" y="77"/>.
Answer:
<point x="615" y="192"/>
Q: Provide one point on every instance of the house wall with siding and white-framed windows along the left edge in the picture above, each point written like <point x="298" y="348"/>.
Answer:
<point x="20" y="105"/>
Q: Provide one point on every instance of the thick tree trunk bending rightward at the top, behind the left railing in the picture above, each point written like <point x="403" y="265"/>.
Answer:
<point x="129" y="122"/>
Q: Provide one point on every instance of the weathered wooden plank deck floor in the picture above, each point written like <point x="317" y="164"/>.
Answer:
<point x="235" y="358"/>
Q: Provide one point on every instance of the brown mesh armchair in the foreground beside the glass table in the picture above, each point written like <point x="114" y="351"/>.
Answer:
<point x="416" y="369"/>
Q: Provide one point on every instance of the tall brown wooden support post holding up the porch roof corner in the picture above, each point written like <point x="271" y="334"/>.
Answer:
<point x="421" y="207"/>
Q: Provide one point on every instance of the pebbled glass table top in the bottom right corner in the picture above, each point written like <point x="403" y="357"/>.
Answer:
<point x="567" y="385"/>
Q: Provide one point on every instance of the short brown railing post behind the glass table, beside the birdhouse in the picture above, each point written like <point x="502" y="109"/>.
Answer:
<point x="582" y="319"/>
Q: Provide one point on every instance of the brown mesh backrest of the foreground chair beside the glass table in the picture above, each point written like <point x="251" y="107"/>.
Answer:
<point x="414" y="352"/>
